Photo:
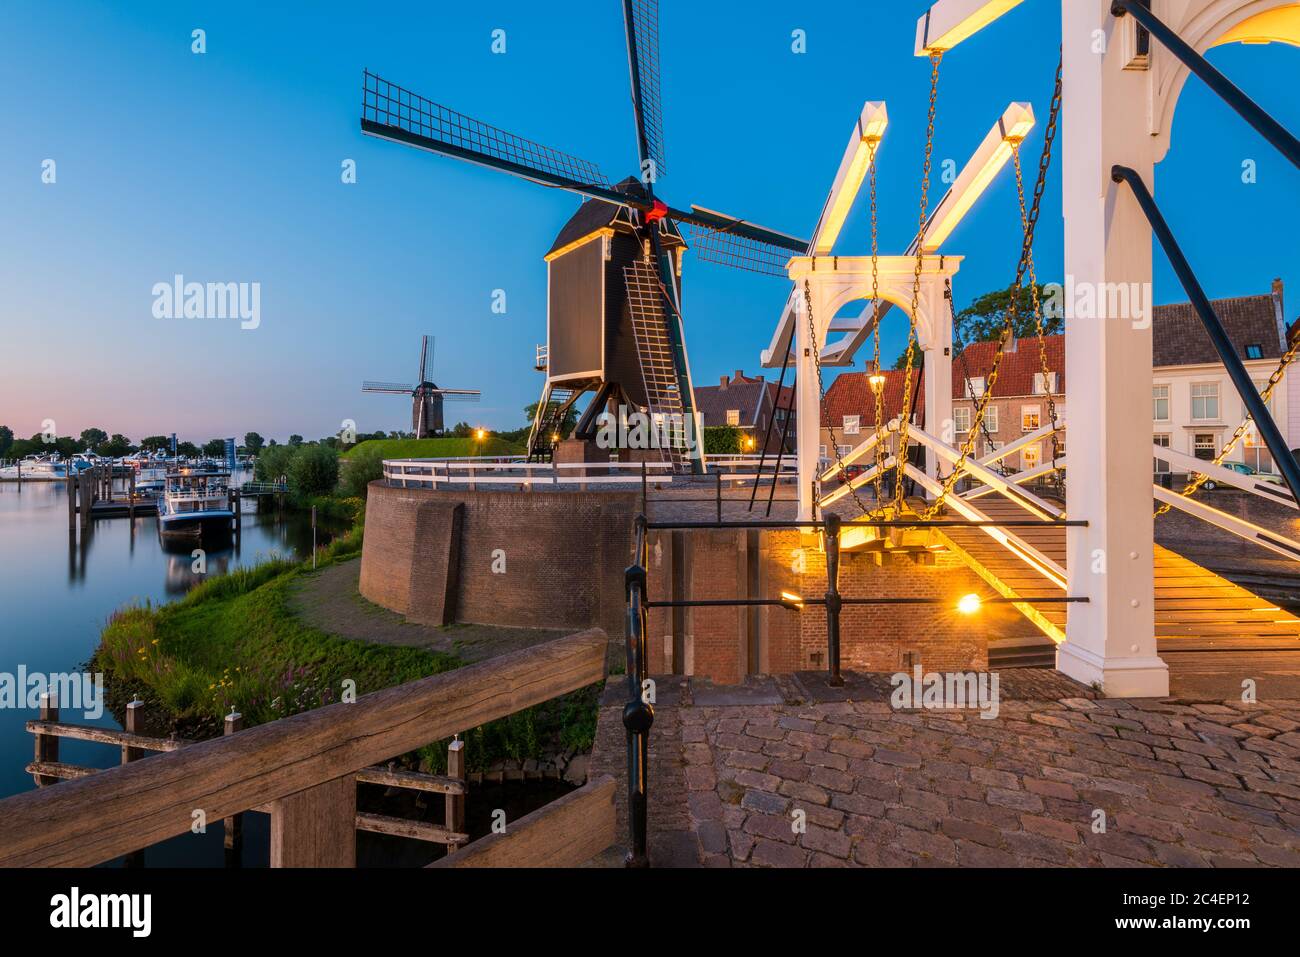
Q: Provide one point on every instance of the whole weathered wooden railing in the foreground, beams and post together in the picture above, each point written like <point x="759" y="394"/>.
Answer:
<point x="304" y="770"/>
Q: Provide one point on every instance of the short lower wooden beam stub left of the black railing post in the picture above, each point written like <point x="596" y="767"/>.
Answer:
<point x="564" y="834"/>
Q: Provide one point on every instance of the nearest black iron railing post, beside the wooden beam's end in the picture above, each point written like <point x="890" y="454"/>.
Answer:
<point x="639" y="713"/>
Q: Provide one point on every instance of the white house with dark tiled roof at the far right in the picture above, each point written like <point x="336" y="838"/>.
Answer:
<point x="1195" y="406"/>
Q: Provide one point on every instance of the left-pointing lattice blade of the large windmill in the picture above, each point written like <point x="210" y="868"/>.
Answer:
<point x="392" y="111"/>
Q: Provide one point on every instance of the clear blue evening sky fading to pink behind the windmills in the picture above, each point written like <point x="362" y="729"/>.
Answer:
<point x="226" y="167"/>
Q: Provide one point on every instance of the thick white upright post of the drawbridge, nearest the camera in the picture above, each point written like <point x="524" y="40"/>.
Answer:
<point x="1108" y="262"/>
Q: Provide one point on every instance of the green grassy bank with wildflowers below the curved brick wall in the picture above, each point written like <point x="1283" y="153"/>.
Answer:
<point x="235" y="644"/>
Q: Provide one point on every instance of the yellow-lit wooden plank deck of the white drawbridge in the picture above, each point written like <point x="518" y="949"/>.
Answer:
<point x="1197" y="610"/>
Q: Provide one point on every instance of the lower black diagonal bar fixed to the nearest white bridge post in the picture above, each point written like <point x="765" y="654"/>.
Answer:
<point x="1219" y="336"/>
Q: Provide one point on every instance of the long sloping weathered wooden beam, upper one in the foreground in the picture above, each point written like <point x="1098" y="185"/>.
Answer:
<point x="86" y="822"/>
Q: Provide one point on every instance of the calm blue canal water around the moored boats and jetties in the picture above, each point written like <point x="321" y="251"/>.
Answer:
<point x="55" y="599"/>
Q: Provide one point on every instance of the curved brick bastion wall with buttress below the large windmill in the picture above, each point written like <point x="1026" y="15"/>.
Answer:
<point x="428" y="555"/>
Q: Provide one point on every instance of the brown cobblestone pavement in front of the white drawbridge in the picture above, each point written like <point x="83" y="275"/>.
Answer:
<point x="1176" y="783"/>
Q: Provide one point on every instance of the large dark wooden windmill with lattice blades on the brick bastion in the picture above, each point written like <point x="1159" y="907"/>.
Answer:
<point x="614" y="324"/>
